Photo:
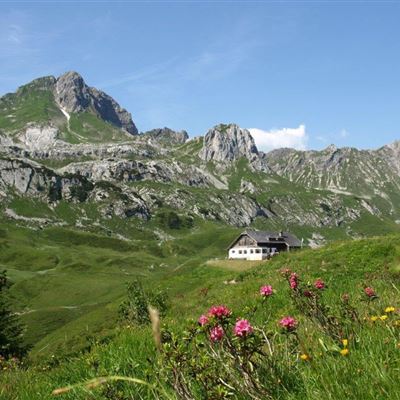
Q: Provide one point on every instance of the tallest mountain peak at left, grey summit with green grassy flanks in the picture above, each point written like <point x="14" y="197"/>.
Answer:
<point x="78" y="113"/>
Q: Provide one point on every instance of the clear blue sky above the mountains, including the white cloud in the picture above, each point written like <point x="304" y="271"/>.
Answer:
<point x="304" y="74"/>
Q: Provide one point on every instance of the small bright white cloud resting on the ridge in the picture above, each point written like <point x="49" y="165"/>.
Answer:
<point x="277" y="138"/>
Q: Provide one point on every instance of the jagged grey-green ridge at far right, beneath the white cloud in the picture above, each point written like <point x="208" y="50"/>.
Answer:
<point x="348" y="170"/>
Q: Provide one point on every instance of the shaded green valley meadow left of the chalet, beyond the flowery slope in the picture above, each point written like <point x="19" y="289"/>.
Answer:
<point x="69" y="280"/>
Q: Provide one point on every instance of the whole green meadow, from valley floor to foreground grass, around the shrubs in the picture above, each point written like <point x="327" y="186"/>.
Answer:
<point x="88" y="270"/>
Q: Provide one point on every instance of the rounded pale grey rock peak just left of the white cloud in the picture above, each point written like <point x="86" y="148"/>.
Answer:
<point x="225" y="143"/>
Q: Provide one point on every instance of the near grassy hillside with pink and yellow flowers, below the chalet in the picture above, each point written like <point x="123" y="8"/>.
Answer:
<point x="361" y="363"/>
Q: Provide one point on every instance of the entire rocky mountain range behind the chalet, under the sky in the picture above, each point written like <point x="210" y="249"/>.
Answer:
<point x="64" y="176"/>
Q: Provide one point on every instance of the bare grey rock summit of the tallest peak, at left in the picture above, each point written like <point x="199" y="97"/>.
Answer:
<point x="74" y="96"/>
